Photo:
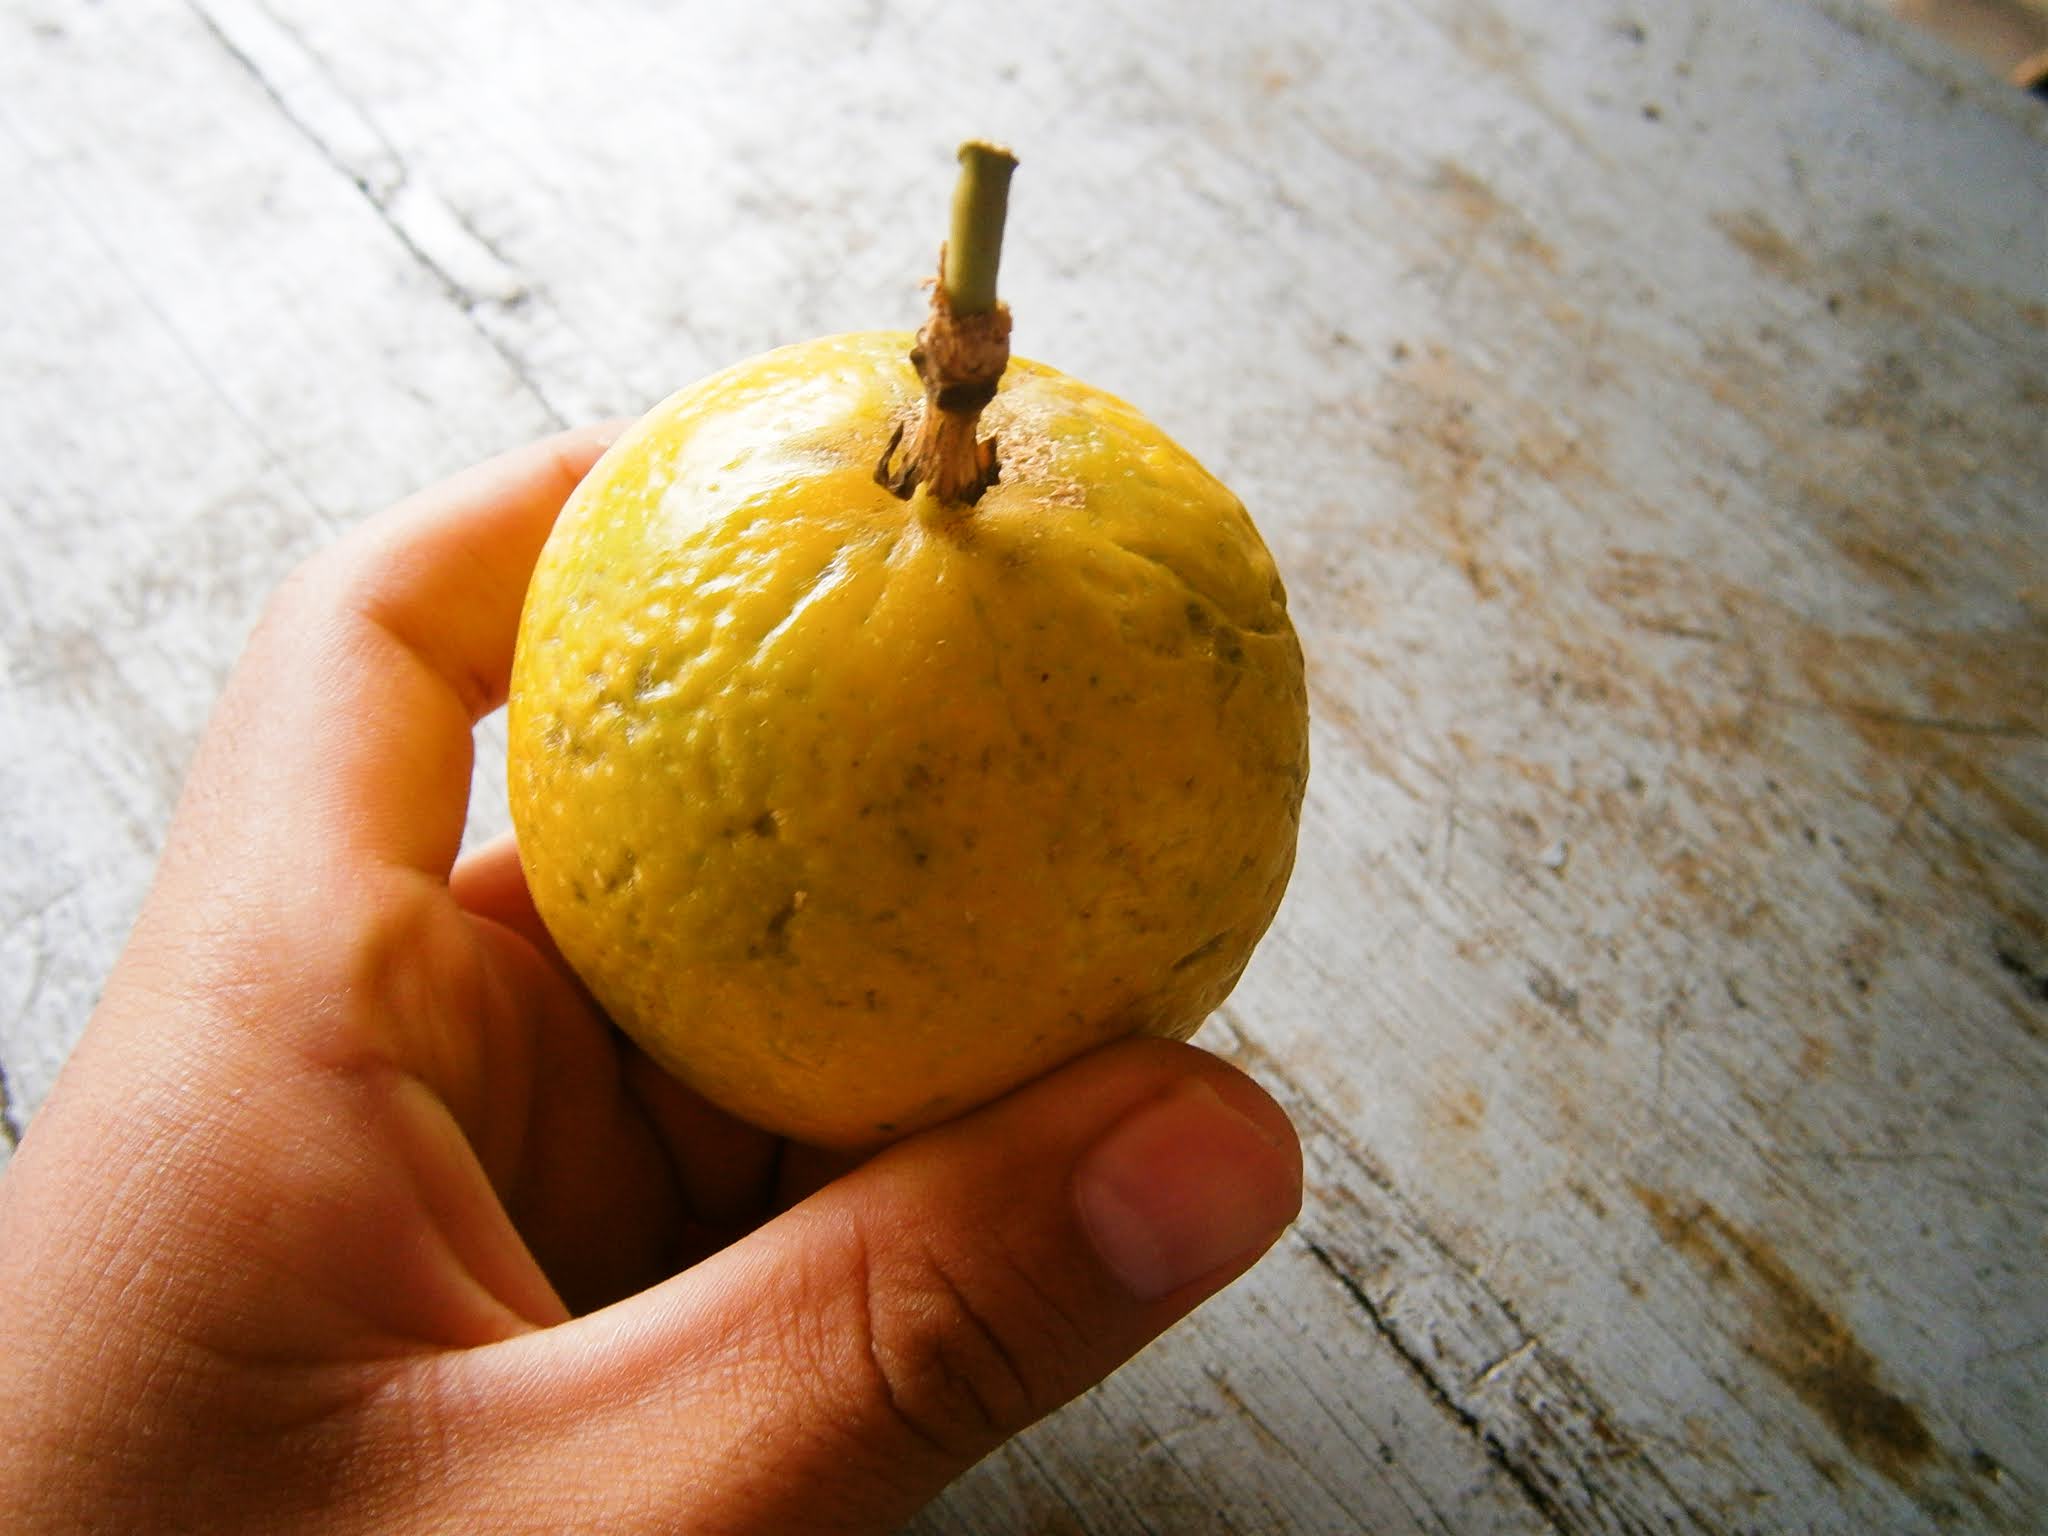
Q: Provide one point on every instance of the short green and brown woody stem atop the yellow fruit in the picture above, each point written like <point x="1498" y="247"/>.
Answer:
<point x="966" y="343"/>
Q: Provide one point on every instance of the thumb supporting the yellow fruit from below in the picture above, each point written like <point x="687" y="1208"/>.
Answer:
<point x="845" y="1363"/>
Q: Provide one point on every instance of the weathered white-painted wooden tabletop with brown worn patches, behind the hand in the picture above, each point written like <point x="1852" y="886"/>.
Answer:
<point x="1646" y="404"/>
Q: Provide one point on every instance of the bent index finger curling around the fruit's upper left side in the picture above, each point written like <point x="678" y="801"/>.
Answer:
<point x="345" y="730"/>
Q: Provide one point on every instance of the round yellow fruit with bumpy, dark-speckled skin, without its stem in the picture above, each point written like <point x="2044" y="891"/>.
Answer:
<point x="857" y="812"/>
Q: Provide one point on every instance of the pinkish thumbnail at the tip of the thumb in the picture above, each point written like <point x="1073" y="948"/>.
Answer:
<point x="1183" y="1189"/>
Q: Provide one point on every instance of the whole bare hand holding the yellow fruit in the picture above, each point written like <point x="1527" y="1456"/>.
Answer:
<point x="351" y="1213"/>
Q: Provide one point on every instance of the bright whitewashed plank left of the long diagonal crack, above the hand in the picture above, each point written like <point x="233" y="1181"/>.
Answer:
<point x="216" y="357"/>
